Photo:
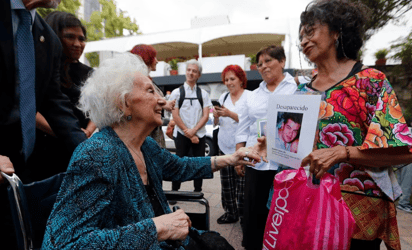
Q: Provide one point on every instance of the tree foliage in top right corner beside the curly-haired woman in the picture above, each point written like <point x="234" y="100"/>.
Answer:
<point x="384" y="11"/>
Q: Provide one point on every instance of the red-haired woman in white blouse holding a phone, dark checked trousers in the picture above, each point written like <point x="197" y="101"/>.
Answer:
<point x="231" y="103"/>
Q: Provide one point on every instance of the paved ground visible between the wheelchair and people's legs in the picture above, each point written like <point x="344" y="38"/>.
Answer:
<point x="233" y="232"/>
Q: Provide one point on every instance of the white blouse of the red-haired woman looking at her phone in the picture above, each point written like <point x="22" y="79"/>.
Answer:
<point x="228" y="126"/>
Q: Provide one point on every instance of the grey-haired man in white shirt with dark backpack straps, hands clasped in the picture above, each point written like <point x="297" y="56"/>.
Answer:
<point x="190" y="115"/>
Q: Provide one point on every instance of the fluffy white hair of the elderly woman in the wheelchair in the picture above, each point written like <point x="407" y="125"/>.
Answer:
<point x="108" y="86"/>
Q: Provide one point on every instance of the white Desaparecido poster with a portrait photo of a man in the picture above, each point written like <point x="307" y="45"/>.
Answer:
<point x="291" y="127"/>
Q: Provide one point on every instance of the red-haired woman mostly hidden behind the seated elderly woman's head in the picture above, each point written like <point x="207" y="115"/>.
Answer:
<point x="148" y="54"/>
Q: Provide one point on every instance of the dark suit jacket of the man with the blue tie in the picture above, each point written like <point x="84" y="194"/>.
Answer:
<point x="50" y="101"/>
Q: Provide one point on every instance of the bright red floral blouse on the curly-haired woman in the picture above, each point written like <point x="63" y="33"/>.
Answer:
<point x="362" y="110"/>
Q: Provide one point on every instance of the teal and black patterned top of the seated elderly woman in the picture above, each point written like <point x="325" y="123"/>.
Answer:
<point x="103" y="204"/>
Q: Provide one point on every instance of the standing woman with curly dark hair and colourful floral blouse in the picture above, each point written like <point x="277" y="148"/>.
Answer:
<point x="361" y="131"/>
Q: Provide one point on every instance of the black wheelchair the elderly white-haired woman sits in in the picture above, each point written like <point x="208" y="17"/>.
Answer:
<point x="31" y="205"/>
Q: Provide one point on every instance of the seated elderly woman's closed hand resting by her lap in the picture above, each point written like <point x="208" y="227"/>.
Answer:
<point x="174" y="226"/>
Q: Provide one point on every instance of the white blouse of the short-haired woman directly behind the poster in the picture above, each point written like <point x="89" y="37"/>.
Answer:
<point x="257" y="108"/>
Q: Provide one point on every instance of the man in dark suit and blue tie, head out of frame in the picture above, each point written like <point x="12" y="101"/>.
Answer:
<point x="16" y="144"/>
